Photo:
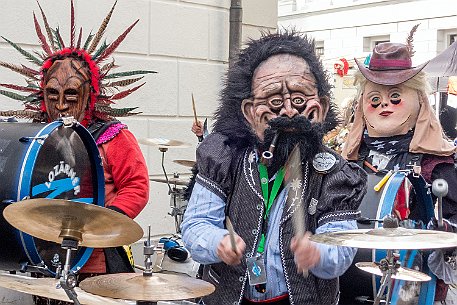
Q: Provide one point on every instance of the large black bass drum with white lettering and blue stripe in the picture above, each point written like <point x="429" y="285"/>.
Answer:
<point x="53" y="160"/>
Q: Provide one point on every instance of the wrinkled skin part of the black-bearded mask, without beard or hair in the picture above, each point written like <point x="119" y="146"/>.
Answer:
<point x="283" y="85"/>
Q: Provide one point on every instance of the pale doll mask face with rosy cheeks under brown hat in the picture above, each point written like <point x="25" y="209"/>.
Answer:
<point x="389" y="110"/>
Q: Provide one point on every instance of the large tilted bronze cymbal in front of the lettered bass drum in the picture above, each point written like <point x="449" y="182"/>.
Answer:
<point x="54" y="219"/>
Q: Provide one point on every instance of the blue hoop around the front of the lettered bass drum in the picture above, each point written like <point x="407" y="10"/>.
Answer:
<point x="28" y="242"/>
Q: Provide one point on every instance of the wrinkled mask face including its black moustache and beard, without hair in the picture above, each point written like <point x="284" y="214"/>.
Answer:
<point x="285" y="98"/>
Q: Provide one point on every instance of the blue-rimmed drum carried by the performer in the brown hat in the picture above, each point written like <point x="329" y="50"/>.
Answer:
<point x="359" y="287"/>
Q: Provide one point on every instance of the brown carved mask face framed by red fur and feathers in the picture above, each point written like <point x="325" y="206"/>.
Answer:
<point x="67" y="89"/>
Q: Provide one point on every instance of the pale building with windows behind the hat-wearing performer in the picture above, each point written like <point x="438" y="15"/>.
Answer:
<point x="348" y="29"/>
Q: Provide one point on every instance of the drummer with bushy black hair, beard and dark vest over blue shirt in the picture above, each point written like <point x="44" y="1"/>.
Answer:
<point x="276" y="87"/>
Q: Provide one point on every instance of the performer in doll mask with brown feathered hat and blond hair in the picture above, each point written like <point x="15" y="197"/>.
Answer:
<point x="395" y="128"/>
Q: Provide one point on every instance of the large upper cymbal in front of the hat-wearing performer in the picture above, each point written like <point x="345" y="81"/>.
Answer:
<point x="390" y="238"/>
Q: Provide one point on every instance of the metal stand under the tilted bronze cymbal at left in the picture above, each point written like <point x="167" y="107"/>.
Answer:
<point x="67" y="278"/>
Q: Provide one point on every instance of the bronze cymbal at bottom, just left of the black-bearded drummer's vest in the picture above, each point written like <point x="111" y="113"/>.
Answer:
<point x="154" y="288"/>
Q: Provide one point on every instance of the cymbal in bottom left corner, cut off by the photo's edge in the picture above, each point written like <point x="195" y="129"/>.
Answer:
<point x="47" y="287"/>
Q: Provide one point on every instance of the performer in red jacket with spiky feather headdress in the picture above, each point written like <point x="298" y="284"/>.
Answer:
<point x="77" y="80"/>
